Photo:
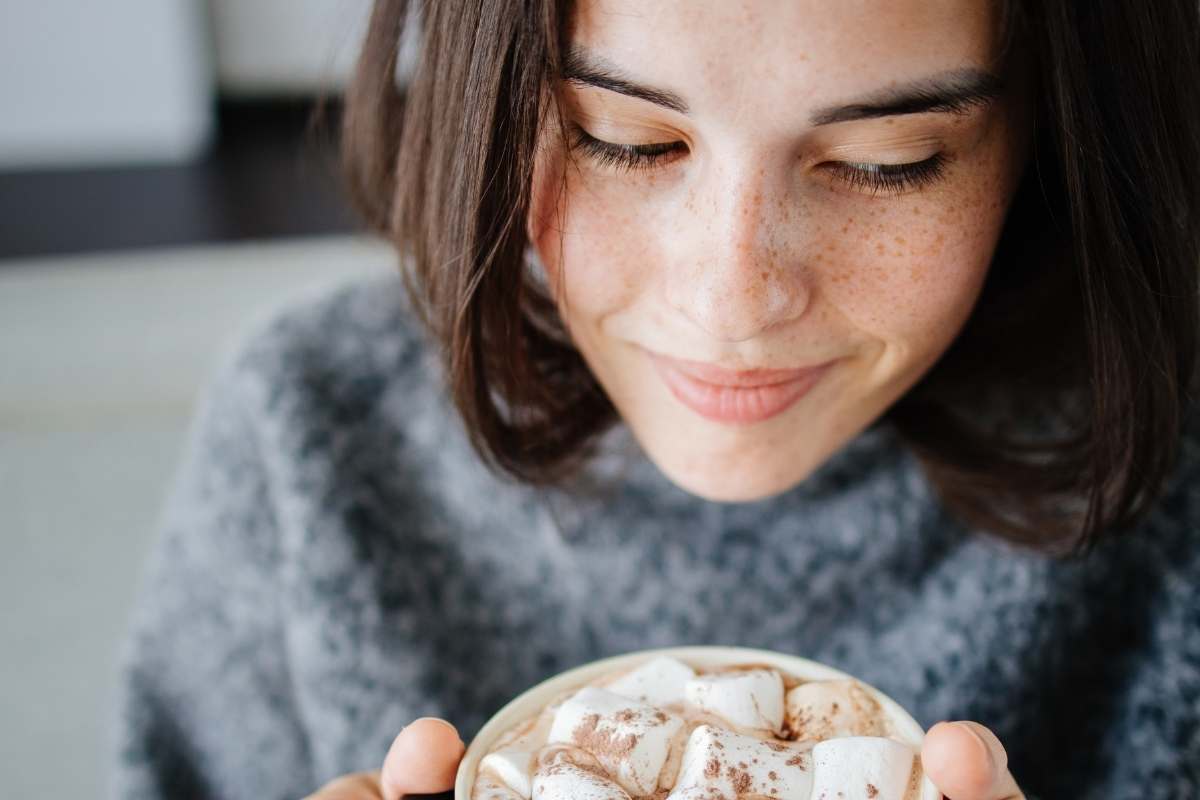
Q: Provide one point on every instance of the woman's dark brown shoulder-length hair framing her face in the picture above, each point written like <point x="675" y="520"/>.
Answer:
<point x="1087" y="324"/>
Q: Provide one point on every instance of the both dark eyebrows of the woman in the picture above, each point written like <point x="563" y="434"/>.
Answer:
<point x="955" y="92"/>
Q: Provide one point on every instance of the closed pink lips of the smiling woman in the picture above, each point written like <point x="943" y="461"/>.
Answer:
<point x="736" y="398"/>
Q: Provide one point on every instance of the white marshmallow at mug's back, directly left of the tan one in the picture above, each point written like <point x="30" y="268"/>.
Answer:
<point x="751" y="699"/>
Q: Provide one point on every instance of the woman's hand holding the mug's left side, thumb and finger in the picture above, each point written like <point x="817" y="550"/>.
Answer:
<point x="423" y="760"/>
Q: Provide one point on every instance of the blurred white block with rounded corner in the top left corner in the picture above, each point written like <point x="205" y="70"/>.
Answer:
<point x="91" y="83"/>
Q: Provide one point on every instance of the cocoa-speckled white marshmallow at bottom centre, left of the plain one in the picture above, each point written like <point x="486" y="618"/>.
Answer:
<point x="723" y="763"/>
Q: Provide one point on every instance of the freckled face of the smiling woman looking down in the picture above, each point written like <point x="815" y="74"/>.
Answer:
<point x="800" y="187"/>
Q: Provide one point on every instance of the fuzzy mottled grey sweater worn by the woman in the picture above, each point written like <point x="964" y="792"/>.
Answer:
<point x="335" y="561"/>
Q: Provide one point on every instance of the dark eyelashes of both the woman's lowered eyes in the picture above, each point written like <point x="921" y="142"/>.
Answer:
<point x="859" y="176"/>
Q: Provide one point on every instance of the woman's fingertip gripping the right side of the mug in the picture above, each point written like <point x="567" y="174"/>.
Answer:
<point x="967" y="762"/>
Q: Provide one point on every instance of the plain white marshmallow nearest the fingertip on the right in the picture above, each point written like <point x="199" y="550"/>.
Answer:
<point x="862" y="768"/>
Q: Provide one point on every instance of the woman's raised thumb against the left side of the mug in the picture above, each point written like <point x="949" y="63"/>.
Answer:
<point x="423" y="760"/>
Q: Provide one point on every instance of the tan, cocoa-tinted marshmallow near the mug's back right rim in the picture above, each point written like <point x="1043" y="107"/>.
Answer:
<point x="829" y="709"/>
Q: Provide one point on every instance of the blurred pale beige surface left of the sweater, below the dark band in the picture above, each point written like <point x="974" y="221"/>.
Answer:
<point x="101" y="358"/>
